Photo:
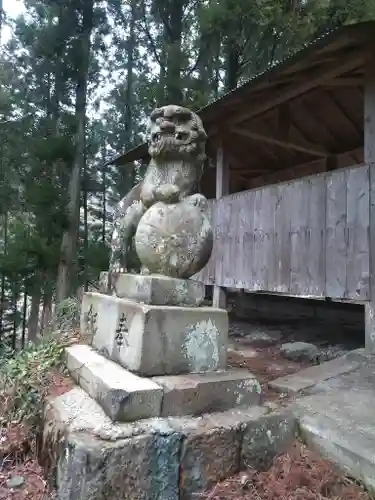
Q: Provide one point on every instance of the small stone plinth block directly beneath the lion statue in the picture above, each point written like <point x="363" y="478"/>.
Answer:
<point x="157" y="290"/>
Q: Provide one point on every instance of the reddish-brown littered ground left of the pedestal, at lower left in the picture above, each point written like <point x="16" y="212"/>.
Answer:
<point x="18" y="454"/>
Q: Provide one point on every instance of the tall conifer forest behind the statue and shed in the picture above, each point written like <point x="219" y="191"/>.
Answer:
<point x="77" y="81"/>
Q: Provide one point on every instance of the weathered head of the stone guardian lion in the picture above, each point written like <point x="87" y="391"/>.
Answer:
<point x="176" y="133"/>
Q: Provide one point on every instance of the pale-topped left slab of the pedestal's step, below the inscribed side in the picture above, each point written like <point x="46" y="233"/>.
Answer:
<point x="123" y="395"/>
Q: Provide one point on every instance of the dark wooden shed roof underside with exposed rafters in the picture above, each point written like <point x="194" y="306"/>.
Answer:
<point x="303" y="110"/>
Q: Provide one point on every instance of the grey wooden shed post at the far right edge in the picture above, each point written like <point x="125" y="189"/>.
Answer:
<point x="369" y="157"/>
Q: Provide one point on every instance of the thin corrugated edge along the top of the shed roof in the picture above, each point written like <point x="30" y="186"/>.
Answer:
<point x="293" y="58"/>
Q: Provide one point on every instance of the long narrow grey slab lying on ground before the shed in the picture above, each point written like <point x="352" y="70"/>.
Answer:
<point x="309" y="377"/>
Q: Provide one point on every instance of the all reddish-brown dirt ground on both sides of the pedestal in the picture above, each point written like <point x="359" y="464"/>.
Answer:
<point x="296" y="475"/>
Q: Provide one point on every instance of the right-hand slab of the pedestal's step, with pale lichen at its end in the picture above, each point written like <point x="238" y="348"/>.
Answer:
<point x="195" y="394"/>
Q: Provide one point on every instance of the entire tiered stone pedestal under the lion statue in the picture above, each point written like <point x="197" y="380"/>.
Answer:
<point x="151" y="360"/>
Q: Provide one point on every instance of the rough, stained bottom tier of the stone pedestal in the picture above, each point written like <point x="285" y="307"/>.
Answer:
<point x="170" y="458"/>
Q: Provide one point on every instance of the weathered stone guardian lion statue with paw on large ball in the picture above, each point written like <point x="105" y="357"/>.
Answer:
<point x="172" y="233"/>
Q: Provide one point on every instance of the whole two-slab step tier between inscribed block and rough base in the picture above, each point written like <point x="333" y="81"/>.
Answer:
<point x="127" y="397"/>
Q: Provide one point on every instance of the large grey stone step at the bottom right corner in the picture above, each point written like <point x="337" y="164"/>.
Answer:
<point x="340" y="425"/>
